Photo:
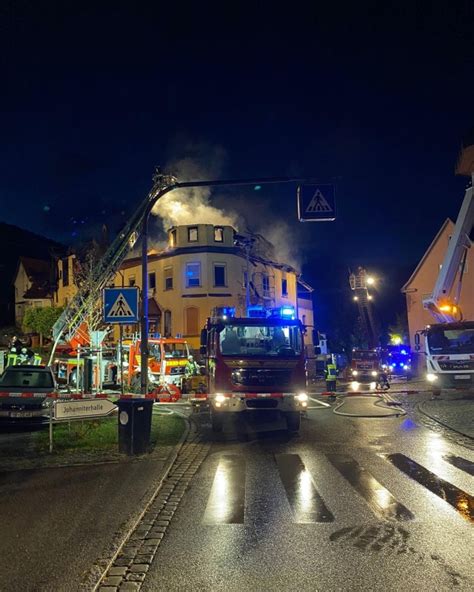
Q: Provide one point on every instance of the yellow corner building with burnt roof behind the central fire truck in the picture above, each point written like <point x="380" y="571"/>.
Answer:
<point x="205" y="267"/>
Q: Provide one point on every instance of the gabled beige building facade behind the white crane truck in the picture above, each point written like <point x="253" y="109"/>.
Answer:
<point x="422" y="281"/>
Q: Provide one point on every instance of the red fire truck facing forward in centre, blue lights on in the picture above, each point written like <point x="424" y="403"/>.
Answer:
<point x="255" y="364"/>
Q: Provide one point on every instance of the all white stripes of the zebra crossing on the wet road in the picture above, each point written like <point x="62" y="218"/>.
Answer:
<point x="230" y="493"/>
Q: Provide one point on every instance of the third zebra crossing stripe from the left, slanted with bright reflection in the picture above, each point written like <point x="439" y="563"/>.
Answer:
<point x="379" y="499"/>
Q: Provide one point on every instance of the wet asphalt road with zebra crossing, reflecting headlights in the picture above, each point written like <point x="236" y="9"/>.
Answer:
<point x="349" y="504"/>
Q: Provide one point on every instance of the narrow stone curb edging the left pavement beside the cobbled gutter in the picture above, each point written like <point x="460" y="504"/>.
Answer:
<point x="97" y="578"/>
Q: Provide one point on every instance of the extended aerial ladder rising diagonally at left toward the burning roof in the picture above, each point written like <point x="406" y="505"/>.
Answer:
<point x="74" y="315"/>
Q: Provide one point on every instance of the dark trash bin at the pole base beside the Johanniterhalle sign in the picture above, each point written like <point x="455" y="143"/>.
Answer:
<point x="134" y="425"/>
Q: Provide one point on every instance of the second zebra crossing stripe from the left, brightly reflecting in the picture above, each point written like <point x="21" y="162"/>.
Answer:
<point x="307" y="505"/>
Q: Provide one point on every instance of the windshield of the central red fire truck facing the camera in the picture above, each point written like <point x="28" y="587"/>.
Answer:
<point x="255" y="340"/>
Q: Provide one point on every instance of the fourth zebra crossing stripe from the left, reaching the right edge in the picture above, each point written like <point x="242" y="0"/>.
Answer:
<point x="461" y="501"/>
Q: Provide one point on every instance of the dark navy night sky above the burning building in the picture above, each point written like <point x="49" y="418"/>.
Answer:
<point x="375" y="98"/>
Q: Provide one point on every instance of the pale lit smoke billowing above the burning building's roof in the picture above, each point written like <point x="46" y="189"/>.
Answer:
<point x="192" y="206"/>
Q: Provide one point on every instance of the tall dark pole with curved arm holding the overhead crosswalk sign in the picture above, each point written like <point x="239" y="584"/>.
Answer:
<point x="163" y="184"/>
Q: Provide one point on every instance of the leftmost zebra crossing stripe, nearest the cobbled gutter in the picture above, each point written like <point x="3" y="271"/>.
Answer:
<point x="226" y="503"/>
